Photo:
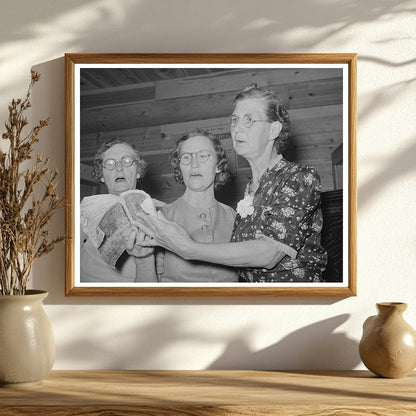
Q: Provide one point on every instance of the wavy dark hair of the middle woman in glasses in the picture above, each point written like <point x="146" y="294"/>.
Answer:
<point x="221" y="177"/>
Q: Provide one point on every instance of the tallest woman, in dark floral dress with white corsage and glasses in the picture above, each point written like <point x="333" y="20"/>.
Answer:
<point x="276" y="235"/>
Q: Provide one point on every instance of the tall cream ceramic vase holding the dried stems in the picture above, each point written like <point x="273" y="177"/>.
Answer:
<point x="27" y="347"/>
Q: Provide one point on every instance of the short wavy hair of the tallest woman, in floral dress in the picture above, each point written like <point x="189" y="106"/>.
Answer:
<point x="275" y="111"/>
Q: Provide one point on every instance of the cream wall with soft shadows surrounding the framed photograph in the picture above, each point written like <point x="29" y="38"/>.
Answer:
<point x="200" y="333"/>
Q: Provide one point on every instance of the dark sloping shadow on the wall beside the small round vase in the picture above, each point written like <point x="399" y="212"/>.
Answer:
<point x="313" y="347"/>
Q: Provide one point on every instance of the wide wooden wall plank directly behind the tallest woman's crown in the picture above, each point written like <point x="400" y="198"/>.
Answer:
<point x="151" y="113"/>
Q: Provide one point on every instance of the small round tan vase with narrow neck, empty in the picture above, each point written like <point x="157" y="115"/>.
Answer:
<point x="388" y="345"/>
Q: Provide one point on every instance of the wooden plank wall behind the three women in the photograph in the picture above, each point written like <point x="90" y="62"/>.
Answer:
<point x="154" y="115"/>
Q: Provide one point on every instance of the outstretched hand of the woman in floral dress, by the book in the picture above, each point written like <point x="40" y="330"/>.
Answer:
<point x="165" y="233"/>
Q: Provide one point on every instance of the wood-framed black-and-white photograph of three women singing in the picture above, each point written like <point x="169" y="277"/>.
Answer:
<point x="211" y="174"/>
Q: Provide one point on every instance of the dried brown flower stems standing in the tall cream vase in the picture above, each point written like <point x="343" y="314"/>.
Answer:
<point x="28" y="200"/>
